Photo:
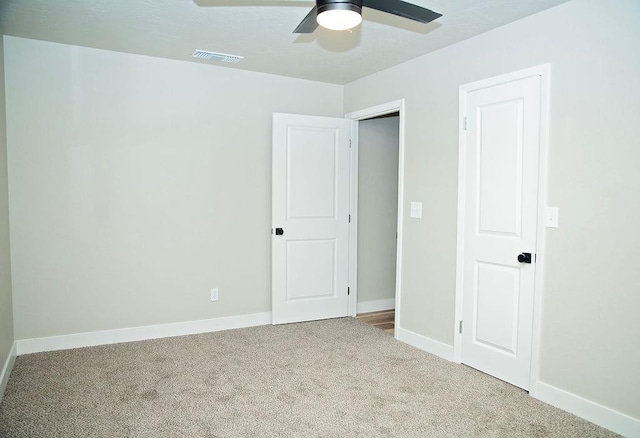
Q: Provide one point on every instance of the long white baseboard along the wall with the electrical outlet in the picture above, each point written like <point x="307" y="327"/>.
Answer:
<point x="65" y="342"/>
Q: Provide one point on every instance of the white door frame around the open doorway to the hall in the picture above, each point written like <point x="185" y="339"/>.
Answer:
<point x="356" y="116"/>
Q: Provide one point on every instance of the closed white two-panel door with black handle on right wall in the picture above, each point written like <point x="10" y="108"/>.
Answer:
<point x="502" y="149"/>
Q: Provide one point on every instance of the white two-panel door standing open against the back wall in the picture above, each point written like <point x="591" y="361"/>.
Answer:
<point x="310" y="211"/>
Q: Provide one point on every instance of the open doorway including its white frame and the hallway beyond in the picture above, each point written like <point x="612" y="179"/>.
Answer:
<point x="376" y="214"/>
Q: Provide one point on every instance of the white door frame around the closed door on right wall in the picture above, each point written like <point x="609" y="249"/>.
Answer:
<point x="544" y="71"/>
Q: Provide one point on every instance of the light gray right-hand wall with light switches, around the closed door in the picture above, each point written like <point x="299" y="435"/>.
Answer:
<point x="589" y="343"/>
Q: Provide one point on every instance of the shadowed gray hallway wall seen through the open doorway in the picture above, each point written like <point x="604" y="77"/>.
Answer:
<point x="377" y="208"/>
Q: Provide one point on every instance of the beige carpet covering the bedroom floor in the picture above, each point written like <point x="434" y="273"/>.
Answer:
<point x="336" y="378"/>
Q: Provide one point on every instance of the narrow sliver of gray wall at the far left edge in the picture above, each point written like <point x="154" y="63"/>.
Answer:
<point x="6" y="306"/>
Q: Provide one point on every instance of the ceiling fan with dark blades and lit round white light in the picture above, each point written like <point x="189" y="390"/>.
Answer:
<point x="346" y="14"/>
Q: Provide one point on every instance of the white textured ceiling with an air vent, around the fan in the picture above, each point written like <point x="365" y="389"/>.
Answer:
<point x="259" y="30"/>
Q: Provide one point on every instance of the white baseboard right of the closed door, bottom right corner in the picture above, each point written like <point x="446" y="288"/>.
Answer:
<point x="601" y="415"/>
